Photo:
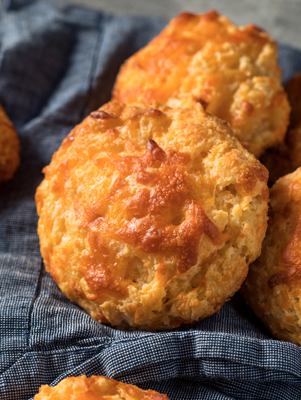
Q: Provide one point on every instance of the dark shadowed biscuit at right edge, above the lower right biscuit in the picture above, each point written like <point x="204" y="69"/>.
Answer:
<point x="287" y="158"/>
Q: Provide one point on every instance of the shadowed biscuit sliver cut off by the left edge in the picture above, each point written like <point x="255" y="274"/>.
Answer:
<point x="9" y="148"/>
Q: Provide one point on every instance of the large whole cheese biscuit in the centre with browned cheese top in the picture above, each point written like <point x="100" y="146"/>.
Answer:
<point x="150" y="216"/>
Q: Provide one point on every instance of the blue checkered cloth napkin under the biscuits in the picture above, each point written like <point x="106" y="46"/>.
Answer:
<point x="57" y="63"/>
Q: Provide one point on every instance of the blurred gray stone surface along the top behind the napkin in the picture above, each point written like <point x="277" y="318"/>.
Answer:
<point x="281" y="18"/>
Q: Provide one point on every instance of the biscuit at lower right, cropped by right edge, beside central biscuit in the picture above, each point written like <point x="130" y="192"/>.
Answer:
<point x="273" y="286"/>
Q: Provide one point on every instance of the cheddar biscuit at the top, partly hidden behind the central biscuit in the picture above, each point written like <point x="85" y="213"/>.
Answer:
<point x="232" y="71"/>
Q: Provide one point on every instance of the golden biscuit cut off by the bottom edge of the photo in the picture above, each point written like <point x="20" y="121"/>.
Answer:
<point x="95" y="388"/>
